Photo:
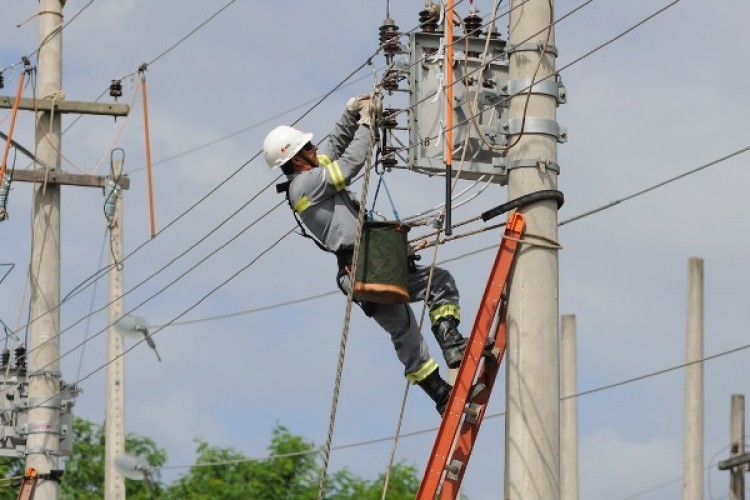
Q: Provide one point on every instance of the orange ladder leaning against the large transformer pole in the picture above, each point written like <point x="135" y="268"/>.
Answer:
<point x="462" y="418"/>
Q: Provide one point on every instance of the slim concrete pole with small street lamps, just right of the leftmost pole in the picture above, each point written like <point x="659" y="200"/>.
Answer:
<point x="114" y="441"/>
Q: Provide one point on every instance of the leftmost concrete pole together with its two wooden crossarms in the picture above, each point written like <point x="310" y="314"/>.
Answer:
<point x="43" y="430"/>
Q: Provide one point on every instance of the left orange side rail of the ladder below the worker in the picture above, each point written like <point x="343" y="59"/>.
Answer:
<point x="488" y="308"/>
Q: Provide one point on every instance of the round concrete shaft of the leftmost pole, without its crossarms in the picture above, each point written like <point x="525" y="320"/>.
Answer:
<point x="43" y="440"/>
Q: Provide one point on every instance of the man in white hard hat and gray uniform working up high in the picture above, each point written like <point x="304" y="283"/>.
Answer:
<point x="317" y="192"/>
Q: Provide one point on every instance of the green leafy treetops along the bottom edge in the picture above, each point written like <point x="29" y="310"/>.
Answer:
<point x="291" y="472"/>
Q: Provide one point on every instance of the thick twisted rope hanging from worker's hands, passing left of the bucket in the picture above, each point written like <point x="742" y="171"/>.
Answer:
<point x="349" y="298"/>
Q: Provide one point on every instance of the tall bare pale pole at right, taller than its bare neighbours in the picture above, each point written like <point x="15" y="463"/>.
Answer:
<point x="692" y="483"/>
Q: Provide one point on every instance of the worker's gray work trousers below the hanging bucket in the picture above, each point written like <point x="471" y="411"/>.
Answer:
<point x="399" y="320"/>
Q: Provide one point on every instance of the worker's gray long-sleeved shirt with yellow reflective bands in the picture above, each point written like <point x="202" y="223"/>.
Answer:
<point x="327" y="208"/>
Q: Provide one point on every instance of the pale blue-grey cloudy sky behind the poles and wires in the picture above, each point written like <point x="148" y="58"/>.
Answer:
<point x="660" y="101"/>
